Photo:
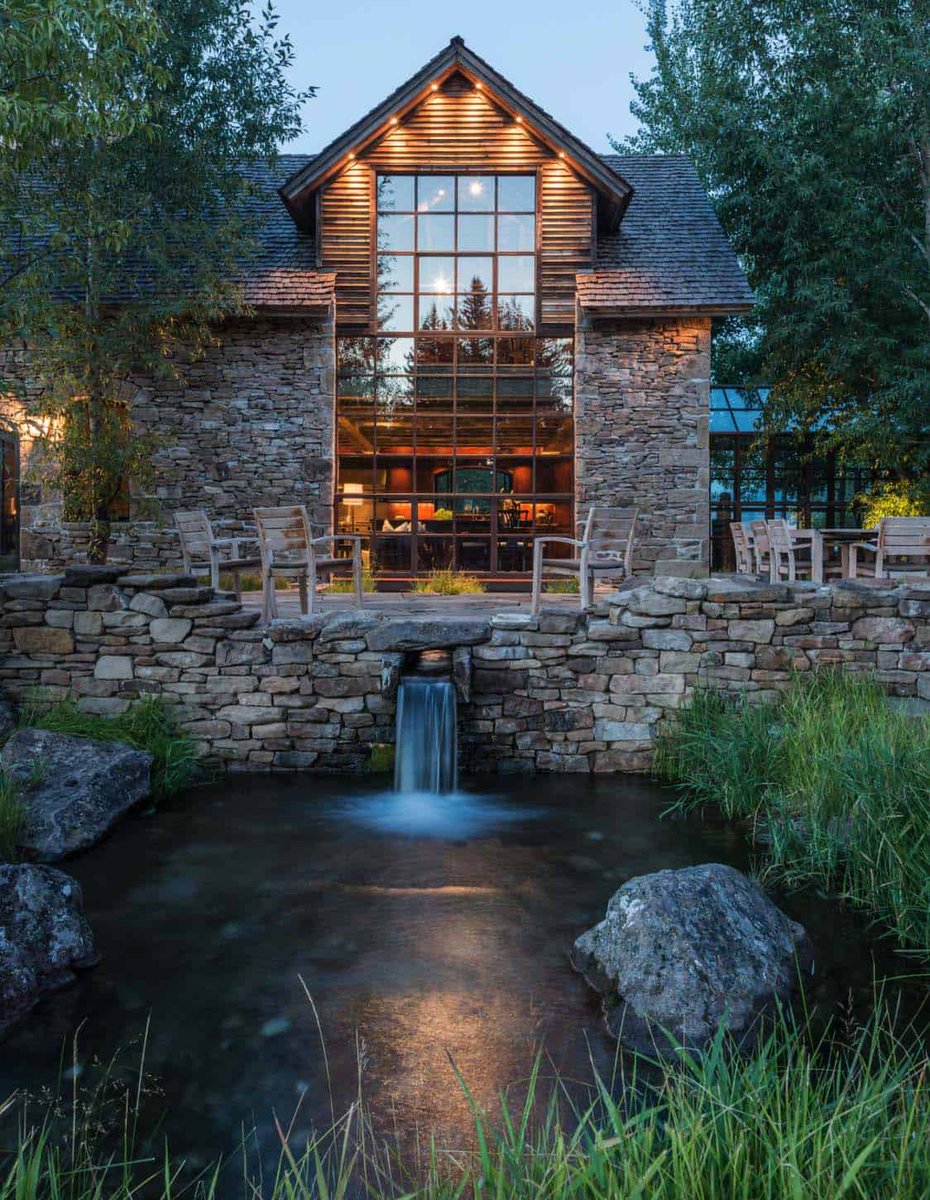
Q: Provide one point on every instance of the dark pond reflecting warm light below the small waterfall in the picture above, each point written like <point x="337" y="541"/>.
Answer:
<point x="427" y="933"/>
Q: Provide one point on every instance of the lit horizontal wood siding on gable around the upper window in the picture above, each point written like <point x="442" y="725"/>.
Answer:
<point x="458" y="129"/>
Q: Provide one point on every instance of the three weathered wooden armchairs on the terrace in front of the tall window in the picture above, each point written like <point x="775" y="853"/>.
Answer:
<point x="290" y="550"/>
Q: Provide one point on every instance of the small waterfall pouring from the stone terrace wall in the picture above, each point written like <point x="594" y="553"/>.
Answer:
<point x="427" y="752"/>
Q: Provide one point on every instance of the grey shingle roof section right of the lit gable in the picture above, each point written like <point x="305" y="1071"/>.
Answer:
<point x="670" y="253"/>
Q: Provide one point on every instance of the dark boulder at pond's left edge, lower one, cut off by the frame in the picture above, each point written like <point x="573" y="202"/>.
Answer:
<point x="44" y="937"/>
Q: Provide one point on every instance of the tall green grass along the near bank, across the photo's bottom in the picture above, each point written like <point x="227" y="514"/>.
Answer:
<point x="845" y="1118"/>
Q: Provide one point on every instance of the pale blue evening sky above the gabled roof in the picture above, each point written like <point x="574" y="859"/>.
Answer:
<point x="573" y="58"/>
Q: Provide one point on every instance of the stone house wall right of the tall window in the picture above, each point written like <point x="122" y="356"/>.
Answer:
<point x="641" y="433"/>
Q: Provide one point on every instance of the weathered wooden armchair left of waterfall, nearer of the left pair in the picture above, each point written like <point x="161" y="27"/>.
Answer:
<point x="290" y="550"/>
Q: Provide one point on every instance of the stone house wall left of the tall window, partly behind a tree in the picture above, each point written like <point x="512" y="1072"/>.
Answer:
<point x="249" y="424"/>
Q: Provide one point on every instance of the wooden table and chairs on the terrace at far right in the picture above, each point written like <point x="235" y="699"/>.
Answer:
<point x="901" y="547"/>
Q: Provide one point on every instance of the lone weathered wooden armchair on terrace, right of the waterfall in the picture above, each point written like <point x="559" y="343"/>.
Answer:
<point x="603" y="551"/>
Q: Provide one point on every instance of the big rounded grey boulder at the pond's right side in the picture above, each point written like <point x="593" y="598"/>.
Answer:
<point x="682" y="952"/>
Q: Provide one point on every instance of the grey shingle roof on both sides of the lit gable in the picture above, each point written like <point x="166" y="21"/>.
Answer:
<point x="670" y="254"/>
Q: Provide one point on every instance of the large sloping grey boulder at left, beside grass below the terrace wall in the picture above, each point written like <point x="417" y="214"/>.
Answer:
<point x="73" y="790"/>
